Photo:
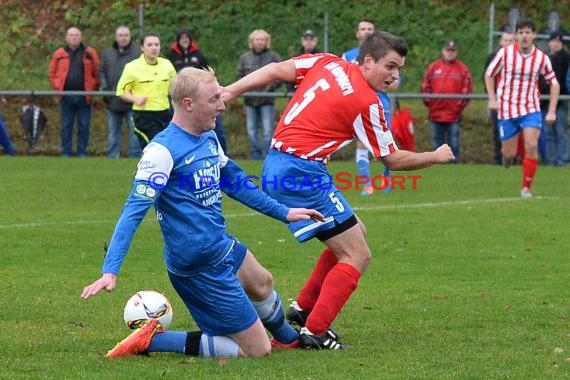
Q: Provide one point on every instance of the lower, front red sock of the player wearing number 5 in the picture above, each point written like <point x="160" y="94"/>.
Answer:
<point x="337" y="288"/>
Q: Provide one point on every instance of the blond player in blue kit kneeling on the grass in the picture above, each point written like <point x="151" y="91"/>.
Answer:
<point x="229" y="294"/>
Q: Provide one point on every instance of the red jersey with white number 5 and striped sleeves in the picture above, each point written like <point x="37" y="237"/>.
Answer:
<point x="302" y="131"/>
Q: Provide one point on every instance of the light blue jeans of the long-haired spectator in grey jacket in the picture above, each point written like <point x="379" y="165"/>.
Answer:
<point x="257" y="118"/>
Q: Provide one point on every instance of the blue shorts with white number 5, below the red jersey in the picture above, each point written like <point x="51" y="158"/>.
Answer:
<point x="304" y="183"/>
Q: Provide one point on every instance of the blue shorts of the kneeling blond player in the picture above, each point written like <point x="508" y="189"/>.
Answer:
<point x="215" y="297"/>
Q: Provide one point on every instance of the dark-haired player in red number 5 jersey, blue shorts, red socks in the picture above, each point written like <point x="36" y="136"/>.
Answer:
<point x="335" y="103"/>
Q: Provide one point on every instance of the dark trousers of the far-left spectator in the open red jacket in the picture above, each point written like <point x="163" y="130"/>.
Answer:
<point x="75" y="107"/>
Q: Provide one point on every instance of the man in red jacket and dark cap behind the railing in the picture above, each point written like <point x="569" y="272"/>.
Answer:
<point x="447" y="75"/>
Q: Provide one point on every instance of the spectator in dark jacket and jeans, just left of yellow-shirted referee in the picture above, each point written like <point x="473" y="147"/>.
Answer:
<point x="113" y="60"/>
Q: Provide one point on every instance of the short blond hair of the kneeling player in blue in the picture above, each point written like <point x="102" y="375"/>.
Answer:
<point x="186" y="83"/>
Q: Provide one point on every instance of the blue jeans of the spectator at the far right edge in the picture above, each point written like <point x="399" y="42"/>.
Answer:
<point x="557" y="136"/>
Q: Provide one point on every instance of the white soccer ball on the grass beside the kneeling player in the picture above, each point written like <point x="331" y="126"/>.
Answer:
<point x="147" y="304"/>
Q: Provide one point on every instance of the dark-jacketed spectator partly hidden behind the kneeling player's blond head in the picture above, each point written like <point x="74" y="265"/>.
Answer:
<point x="185" y="53"/>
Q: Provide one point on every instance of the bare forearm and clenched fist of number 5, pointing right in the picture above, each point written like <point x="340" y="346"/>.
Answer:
<point x="406" y="160"/>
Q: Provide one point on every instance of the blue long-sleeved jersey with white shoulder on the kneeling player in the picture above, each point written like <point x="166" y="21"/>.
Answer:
<point x="183" y="175"/>
